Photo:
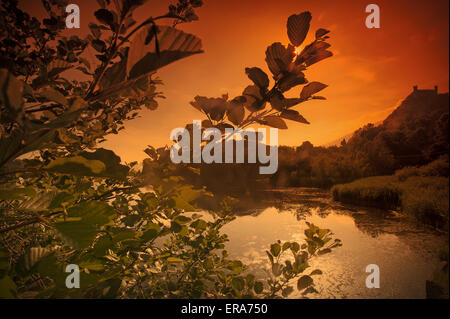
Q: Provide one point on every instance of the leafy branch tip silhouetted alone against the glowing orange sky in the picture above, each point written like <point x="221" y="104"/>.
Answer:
<point x="264" y="104"/>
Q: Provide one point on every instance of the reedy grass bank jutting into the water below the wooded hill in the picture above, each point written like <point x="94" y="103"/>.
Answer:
<point x="421" y="192"/>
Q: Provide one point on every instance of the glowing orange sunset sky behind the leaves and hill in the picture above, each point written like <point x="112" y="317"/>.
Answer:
<point x="371" y="71"/>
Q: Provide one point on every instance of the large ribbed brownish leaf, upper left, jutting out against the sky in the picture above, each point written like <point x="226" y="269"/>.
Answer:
<point x="173" y="44"/>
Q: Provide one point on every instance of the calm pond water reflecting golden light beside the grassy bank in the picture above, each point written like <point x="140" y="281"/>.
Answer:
<point x="404" y="251"/>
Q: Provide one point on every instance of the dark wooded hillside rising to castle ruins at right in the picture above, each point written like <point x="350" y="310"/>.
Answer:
<point x="414" y="134"/>
